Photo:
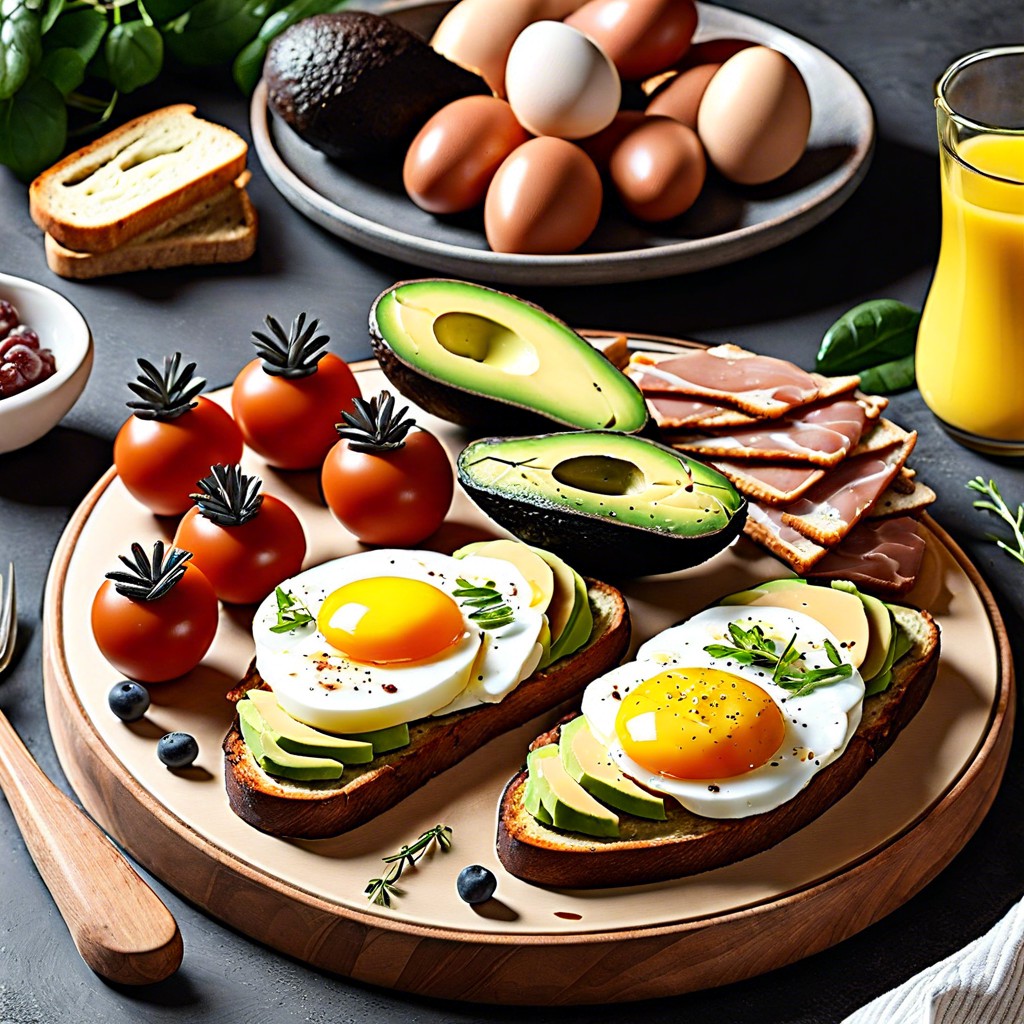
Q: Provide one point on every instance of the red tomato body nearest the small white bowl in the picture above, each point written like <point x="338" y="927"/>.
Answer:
<point x="160" y="461"/>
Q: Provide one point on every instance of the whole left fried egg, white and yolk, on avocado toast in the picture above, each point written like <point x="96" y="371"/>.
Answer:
<point x="407" y="667"/>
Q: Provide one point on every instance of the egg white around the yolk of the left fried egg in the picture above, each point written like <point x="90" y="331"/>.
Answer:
<point x="320" y="686"/>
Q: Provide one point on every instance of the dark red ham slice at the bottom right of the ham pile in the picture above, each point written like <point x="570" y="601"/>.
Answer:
<point x="883" y="556"/>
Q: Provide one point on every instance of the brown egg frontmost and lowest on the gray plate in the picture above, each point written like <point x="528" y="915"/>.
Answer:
<point x="546" y="198"/>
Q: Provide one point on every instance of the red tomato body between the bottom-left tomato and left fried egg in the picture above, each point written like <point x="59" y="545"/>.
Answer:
<point x="244" y="564"/>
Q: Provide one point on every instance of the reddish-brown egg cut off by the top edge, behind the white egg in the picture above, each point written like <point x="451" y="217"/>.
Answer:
<point x="643" y="37"/>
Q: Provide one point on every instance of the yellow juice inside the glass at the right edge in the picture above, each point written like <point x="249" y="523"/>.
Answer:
<point x="970" y="360"/>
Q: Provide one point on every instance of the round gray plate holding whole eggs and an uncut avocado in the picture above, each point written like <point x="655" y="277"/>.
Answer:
<point x="367" y="205"/>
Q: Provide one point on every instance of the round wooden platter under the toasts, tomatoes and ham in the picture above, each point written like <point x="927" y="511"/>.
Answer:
<point x="866" y="857"/>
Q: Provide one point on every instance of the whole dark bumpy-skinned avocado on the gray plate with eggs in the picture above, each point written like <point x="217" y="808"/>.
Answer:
<point x="357" y="87"/>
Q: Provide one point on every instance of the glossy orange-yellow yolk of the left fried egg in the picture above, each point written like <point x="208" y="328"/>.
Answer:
<point x="389" y="620"/>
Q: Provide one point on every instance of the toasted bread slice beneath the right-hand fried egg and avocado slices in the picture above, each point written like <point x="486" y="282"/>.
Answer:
<point x="687" y="844"/>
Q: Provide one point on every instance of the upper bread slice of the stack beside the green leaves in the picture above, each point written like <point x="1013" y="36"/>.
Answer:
<point x="136" y="178"/>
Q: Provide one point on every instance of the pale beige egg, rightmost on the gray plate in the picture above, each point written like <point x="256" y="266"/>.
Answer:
<point x="755" y="116"/>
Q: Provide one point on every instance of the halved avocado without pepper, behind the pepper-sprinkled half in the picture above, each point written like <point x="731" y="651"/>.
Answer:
<point x="480" y="358"/>
